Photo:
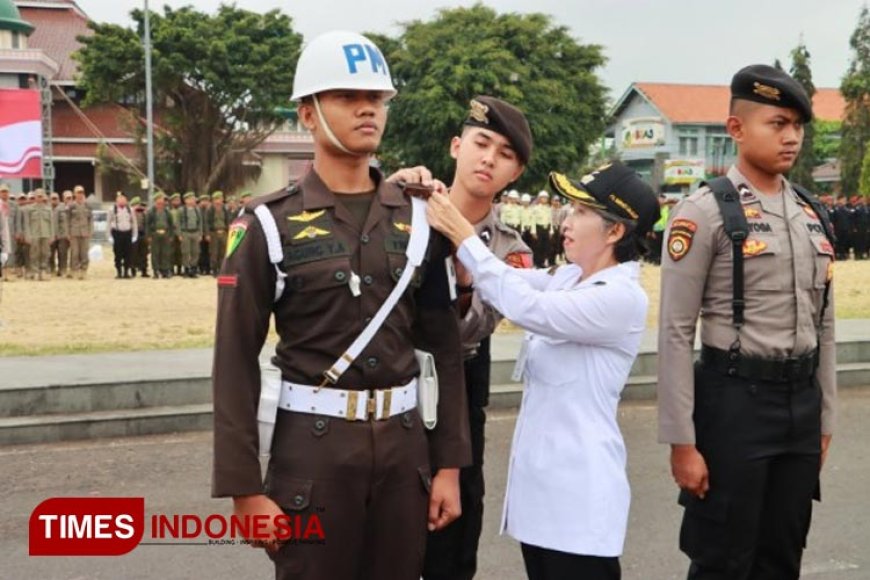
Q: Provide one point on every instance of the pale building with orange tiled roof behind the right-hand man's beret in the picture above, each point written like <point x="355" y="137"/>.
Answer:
<point x="674" y="134"/>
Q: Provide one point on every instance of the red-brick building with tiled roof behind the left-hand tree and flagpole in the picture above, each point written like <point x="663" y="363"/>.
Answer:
<point x="80" y="136"/>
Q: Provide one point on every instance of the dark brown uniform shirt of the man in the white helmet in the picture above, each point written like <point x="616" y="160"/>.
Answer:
<point x="318" y="317"/>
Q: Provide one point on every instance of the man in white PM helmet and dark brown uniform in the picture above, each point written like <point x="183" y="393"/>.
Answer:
<point x="364" y="485"/>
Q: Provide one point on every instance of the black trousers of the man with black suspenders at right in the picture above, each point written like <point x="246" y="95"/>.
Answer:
<point x="761" y="441"/>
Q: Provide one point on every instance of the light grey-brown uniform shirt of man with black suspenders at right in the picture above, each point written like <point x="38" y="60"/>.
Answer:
<point x="787" y="262"/>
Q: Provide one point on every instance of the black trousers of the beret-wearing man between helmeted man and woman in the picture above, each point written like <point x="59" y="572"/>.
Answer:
<point x="451" y="554"/>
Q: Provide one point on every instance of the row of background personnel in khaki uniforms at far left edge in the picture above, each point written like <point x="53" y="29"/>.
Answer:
<point x="45" y="235"/>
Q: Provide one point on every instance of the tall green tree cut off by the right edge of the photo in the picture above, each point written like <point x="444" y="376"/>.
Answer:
<point x="856" y="91"/>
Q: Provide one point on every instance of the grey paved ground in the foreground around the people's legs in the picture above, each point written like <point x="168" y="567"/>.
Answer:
<point x="172" y="473"/>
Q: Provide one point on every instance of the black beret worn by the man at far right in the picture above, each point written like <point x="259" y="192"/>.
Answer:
<point x="770" y="86"/>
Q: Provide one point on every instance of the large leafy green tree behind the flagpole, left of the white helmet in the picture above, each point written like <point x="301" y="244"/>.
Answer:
<point x="218" y="82"/>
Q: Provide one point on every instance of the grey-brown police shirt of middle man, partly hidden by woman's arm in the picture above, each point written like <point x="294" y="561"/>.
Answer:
<point x="506" y="244"/>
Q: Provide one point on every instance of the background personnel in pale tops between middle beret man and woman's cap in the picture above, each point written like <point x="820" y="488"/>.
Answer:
<point x="539" y="223"/>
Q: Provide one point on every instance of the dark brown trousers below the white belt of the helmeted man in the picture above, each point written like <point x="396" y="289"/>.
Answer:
<point x="367" y="484"/>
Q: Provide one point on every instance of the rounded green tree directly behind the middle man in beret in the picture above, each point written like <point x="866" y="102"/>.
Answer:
<point x="440" y="65"/>
